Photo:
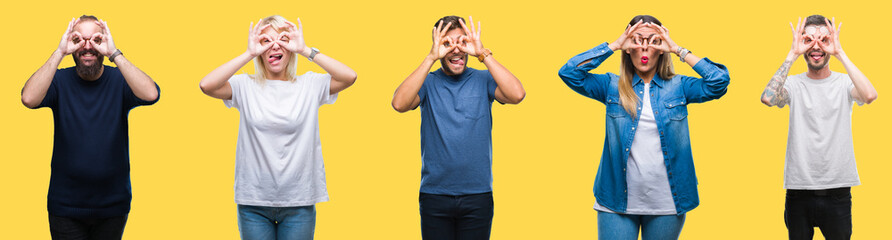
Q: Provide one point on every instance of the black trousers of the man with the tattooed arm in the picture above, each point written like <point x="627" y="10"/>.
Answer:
<point x="830" y="210"/>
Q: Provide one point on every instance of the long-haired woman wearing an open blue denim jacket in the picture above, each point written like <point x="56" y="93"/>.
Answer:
<point x="646" y="175"/>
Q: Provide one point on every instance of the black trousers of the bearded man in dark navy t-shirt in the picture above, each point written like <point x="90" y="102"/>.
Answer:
<point x="63" y="228"/>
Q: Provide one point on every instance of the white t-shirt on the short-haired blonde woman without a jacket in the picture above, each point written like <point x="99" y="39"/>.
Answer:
<point x="278" y="160"/>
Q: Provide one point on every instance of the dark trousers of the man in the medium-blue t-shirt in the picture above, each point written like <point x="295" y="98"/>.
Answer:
<point x="461" y="217"/>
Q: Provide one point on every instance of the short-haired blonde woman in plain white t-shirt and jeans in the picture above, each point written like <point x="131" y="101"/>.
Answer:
<point x="279" y="173"/>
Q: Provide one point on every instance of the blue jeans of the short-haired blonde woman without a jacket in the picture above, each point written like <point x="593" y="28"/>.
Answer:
<point x="256" y="222"/>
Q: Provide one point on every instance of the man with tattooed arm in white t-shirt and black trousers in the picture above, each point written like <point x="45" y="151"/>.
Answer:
<point x="820" y="160"/>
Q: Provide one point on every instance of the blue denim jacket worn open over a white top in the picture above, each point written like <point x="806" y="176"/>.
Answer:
<point x="669" y="99"/>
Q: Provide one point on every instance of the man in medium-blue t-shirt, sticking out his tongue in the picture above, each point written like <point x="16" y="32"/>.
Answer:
<point x="456" y="130"/>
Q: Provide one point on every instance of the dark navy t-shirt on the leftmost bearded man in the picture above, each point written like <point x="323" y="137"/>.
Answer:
<point x="91" y="162"/>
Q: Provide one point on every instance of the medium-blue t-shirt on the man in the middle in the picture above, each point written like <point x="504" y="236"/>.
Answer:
<point x="456" y="132"/>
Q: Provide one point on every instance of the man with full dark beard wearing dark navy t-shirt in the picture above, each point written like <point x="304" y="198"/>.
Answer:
<point x="89" y="196"/>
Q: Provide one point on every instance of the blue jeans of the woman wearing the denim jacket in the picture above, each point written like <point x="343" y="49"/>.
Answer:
<point x="612" y="226"/>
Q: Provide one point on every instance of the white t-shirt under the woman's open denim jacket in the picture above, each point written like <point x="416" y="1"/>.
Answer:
<point x="647" y="178"/>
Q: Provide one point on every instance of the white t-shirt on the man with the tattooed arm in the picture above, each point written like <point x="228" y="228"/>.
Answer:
<point x="820" y="154"/>
